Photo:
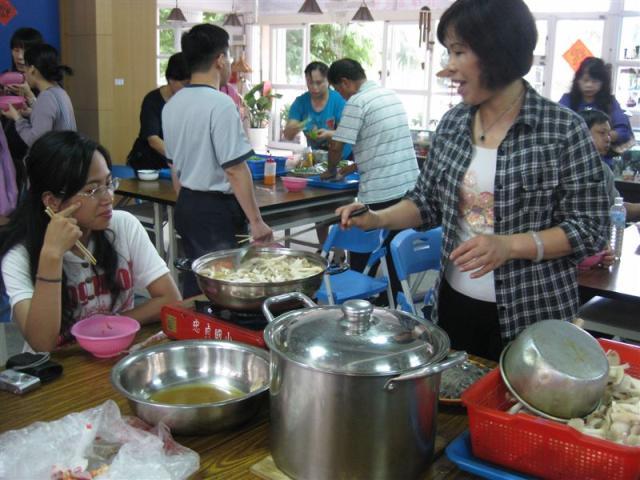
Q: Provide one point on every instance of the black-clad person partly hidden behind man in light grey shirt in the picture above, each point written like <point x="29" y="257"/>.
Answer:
<point x="148" y="149"/>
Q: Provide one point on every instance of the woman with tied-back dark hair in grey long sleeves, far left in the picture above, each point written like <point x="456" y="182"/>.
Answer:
<point x="52" y="110"/>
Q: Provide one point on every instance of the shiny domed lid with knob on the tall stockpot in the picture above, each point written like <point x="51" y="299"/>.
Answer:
<point x="356" y="338"/>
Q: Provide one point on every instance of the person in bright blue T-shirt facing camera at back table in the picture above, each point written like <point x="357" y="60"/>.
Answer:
<point x="317" y="112"/>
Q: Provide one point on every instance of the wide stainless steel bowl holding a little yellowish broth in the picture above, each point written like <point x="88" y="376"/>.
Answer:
<point x="195" y="387"/>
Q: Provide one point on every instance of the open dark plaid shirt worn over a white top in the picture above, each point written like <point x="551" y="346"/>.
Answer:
<point x="548" y="174"/>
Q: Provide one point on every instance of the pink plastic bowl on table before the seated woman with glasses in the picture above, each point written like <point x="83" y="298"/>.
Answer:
<point x="105" y="335"/>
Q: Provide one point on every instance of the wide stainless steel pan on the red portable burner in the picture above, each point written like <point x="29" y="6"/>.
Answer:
<point x="249" y="296"/>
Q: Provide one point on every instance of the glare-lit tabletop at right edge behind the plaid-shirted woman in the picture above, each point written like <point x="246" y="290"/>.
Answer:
<point x="621" y="280"/>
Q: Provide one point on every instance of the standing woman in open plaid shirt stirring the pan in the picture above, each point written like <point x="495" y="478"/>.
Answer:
<point x="514" y="180"/>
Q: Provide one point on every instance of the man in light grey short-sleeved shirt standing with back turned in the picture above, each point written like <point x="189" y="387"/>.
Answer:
<point x="205" y="140"/>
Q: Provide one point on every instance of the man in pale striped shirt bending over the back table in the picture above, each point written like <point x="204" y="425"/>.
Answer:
<point x="375" y="123"/>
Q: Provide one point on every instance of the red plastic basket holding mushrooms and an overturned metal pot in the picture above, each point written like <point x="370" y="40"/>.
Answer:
<point x="541" y="447"/>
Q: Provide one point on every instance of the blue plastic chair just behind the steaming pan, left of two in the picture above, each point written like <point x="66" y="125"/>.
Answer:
<point x="346" y="285"/>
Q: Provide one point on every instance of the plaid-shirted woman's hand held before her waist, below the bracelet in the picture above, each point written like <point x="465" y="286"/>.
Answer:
<point x="482" y="254"/>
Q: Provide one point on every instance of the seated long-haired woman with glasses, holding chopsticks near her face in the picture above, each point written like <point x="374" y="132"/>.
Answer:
<point x="49" y="282"/>
